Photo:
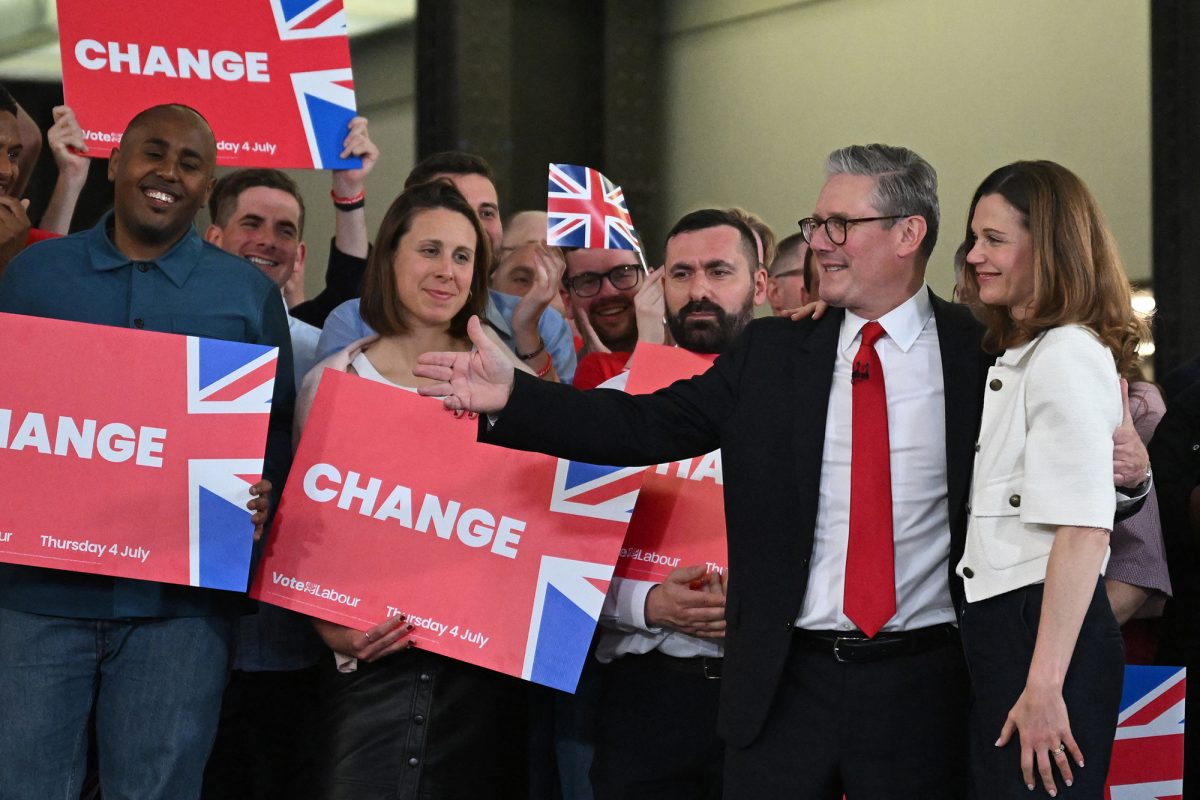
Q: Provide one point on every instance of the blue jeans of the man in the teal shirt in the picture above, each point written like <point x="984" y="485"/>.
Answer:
<point x="154" y="685"/>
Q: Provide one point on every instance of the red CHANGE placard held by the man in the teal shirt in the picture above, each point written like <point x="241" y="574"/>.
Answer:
<point x="130" y="453"/>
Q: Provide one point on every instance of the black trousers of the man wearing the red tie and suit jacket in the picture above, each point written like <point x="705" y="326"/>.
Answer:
<point x="887" y="730"/>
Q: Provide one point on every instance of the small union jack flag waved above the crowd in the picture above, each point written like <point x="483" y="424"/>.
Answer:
<point x="587" y="210"/>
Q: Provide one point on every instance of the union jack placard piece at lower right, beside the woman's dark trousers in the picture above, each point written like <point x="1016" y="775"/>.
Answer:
<point x="1148" y="755"/>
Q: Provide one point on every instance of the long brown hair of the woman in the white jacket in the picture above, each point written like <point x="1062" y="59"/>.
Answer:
<point x="1078" y="275"/>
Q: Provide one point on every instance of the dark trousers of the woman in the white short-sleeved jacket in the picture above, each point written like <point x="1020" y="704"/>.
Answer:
<point x="998" y="636"/>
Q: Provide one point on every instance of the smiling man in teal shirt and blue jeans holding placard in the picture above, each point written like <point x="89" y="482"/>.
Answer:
<point x="148" y="661"/>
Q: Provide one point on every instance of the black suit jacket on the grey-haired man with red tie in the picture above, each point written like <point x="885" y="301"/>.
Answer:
<point x="764" y="404"/>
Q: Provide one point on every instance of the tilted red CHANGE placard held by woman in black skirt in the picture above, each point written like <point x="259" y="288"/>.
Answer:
<point x="393" y="508"/>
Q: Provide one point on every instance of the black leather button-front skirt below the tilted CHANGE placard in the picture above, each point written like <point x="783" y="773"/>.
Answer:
<point x="418" y="726"/>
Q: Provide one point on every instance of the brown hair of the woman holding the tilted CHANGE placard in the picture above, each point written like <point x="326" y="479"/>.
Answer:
<point x="381" y="306"/>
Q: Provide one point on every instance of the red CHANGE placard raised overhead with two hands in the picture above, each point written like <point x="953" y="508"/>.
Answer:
<point x="273" y="77"/>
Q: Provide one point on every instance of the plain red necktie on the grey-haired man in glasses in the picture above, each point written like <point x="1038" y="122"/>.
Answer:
<point x="871" y="592"/>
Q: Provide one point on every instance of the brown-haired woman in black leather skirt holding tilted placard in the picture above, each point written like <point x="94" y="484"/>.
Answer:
<point x="401" y="723"/>
